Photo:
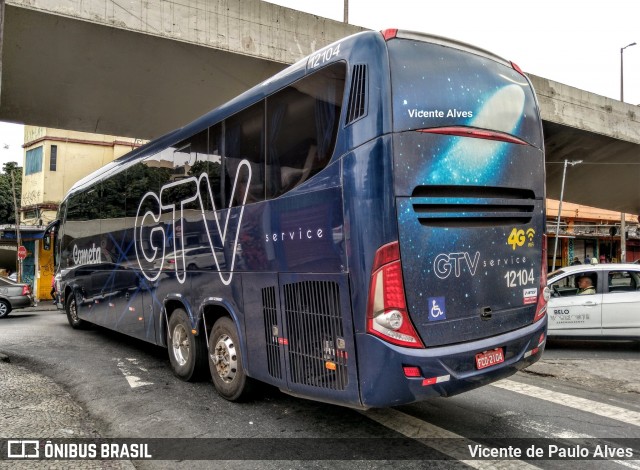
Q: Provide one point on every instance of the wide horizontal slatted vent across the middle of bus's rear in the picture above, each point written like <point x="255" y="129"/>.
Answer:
<point x="472" y="206"/>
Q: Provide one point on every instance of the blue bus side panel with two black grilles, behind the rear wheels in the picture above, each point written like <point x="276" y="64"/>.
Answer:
<point x="303" y="341"/>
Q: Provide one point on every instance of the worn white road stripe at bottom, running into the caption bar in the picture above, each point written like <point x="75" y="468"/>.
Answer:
<point x="445" y="442"/>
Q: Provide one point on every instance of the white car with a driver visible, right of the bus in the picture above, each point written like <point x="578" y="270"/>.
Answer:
<point x="610" y="311"/>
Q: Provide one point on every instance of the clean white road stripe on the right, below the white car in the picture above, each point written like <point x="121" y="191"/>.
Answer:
<point x="582" y="404"/>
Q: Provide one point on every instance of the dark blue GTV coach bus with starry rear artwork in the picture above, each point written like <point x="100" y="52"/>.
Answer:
<point x="365" y="228"/>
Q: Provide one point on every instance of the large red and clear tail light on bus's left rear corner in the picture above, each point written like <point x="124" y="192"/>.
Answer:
<point x="387" y="315"/>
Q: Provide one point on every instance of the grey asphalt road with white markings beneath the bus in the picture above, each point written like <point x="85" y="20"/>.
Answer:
<point x="579" y="393"/>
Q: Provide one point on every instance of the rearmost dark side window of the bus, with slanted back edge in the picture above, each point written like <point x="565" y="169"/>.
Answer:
<point x="302" y="124"/>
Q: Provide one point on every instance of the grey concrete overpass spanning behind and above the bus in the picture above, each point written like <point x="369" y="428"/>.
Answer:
<point x="142" y="68"/>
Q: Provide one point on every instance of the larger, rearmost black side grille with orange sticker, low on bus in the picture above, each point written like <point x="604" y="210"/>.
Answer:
<point x="317" y="352"/>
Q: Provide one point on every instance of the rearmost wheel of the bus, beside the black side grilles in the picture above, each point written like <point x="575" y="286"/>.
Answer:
<point x="226" y="362"/>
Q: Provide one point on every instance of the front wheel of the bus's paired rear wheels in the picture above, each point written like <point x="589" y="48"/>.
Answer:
<point x="187" y="352"/>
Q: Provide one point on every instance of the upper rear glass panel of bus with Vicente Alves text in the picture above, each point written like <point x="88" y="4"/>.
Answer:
<point x="439" y="86"/>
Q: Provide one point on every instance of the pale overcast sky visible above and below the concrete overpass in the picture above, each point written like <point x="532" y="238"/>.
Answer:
<point x="575" y="43"/>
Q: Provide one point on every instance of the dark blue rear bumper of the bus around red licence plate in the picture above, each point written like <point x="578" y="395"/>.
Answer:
<point x="443" y="371"/>
